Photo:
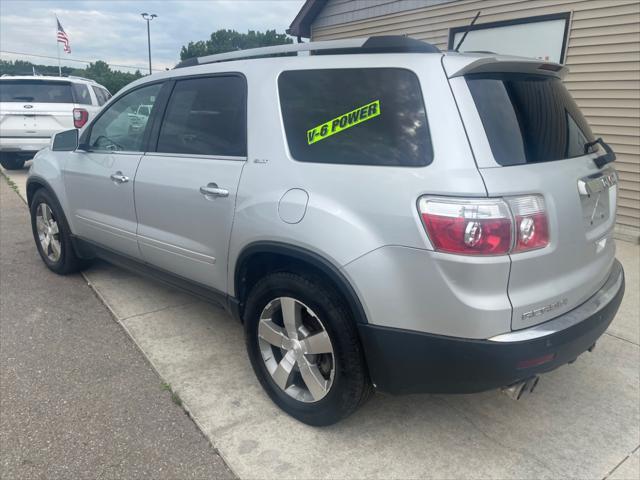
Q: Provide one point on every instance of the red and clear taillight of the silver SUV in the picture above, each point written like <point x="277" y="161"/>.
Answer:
<point x="485" y="226"/>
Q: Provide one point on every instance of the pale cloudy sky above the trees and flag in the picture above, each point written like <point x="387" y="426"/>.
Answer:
<point x="114" y="31"/>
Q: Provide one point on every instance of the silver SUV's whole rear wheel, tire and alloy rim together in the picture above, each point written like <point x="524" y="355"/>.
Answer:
<point x="304" y="348"/>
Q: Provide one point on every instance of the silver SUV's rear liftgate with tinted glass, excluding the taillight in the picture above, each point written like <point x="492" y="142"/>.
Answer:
<point x="529" y="138"/>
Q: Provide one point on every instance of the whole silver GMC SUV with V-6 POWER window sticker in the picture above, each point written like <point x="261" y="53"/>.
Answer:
<point x="379" y="214"/>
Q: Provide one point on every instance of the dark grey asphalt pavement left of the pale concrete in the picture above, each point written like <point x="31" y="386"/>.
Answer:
<point x="77" y="397"/>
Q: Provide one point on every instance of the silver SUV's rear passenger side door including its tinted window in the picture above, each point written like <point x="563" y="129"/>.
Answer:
<point x="185" y="191"/>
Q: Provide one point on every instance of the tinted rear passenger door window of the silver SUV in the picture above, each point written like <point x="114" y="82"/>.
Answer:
<point x="206" y="116"/>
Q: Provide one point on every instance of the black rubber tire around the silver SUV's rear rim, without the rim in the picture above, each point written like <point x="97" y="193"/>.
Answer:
<point x="351" y="386"/>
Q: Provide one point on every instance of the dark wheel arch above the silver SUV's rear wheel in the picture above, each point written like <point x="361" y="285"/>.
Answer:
<point x="260" y="258"/>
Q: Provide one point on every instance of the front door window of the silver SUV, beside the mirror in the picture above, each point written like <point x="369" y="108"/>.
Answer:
<point x="122" y="125"/>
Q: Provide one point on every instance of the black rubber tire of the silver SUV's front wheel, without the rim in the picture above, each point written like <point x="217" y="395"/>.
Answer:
<point x="68" y="262"/>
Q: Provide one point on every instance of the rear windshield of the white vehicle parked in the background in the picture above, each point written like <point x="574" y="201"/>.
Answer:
<point x="35" y="91"/>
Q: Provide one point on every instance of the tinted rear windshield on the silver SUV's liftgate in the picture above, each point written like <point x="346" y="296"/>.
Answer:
<point x="529" y="118"/>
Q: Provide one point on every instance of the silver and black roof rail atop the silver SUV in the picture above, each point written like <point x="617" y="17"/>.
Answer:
<point x="381" y="44"/>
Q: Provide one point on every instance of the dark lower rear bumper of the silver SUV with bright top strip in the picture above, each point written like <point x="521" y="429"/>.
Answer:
<point x="402" y="361"/>
